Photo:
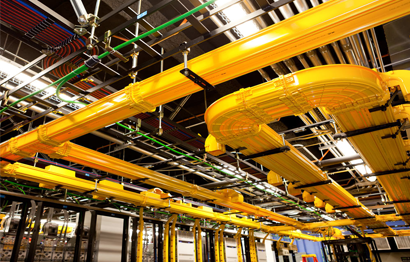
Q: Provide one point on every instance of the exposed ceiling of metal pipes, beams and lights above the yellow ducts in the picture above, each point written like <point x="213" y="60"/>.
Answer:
<point x="43" y="32"/>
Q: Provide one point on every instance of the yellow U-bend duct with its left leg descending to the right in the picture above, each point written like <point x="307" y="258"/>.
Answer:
<point x="224" y="110"/>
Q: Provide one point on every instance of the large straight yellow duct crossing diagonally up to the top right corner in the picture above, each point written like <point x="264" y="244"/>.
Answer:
<point x="313" y="28"/>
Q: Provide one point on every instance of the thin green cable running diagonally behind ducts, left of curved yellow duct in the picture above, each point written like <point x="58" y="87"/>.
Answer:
<point x="214" y="167"/>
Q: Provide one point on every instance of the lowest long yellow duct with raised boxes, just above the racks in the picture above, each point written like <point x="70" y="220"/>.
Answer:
<point x="53" y="176"/>
